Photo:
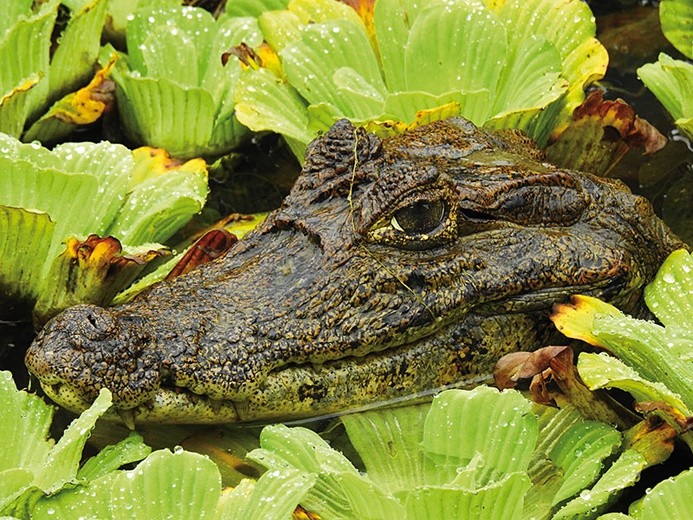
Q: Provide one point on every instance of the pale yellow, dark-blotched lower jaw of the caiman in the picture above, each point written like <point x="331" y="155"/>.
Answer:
<point x="318" y="389"/>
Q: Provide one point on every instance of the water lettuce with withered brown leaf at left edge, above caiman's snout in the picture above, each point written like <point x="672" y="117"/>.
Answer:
<point x="80" y="222"/>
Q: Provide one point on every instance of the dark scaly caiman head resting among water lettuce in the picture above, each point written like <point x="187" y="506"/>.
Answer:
<point x="395" y="266"/>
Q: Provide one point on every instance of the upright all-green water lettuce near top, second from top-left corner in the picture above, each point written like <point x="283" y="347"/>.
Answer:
<point x="173" y="89"/>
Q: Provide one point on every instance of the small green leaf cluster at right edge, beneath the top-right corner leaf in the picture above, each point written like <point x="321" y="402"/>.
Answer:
<point x="671" y="81"/>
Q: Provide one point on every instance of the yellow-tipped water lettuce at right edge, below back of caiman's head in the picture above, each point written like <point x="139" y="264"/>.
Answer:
<point x="653" y="362"/>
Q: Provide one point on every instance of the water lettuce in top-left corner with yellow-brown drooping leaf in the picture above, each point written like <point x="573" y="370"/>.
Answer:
<point x="37" y="77"/>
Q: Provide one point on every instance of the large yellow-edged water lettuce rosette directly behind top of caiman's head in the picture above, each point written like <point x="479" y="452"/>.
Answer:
<point x="519" y="64"/>
